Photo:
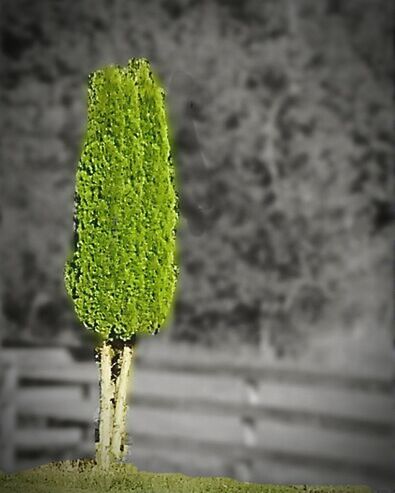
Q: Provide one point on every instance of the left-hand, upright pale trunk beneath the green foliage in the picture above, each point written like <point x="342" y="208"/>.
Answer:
<point x="103" y="452"/>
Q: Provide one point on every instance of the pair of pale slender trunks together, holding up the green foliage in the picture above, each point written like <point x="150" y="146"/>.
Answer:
<point x="114" y="389"/>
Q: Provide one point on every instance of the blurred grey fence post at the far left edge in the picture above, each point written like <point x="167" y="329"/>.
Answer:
<point x="8" y="394"/>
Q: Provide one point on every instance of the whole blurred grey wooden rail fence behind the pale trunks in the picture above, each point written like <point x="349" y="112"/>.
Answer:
<point x="205" y="413"/>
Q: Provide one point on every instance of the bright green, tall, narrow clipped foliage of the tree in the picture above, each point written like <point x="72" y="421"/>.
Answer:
<point x="122" y="274"/>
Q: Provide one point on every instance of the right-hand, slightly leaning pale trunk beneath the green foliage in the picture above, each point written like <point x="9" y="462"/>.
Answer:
<point x="118" y="445"/>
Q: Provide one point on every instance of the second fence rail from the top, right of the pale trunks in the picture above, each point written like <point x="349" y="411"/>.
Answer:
<point x="338" y="403"/>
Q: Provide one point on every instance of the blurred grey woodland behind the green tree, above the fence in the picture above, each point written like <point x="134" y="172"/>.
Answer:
<point x="282" y="118"/>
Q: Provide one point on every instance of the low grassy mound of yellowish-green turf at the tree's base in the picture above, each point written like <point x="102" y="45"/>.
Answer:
<point x="84" y="477"/>
